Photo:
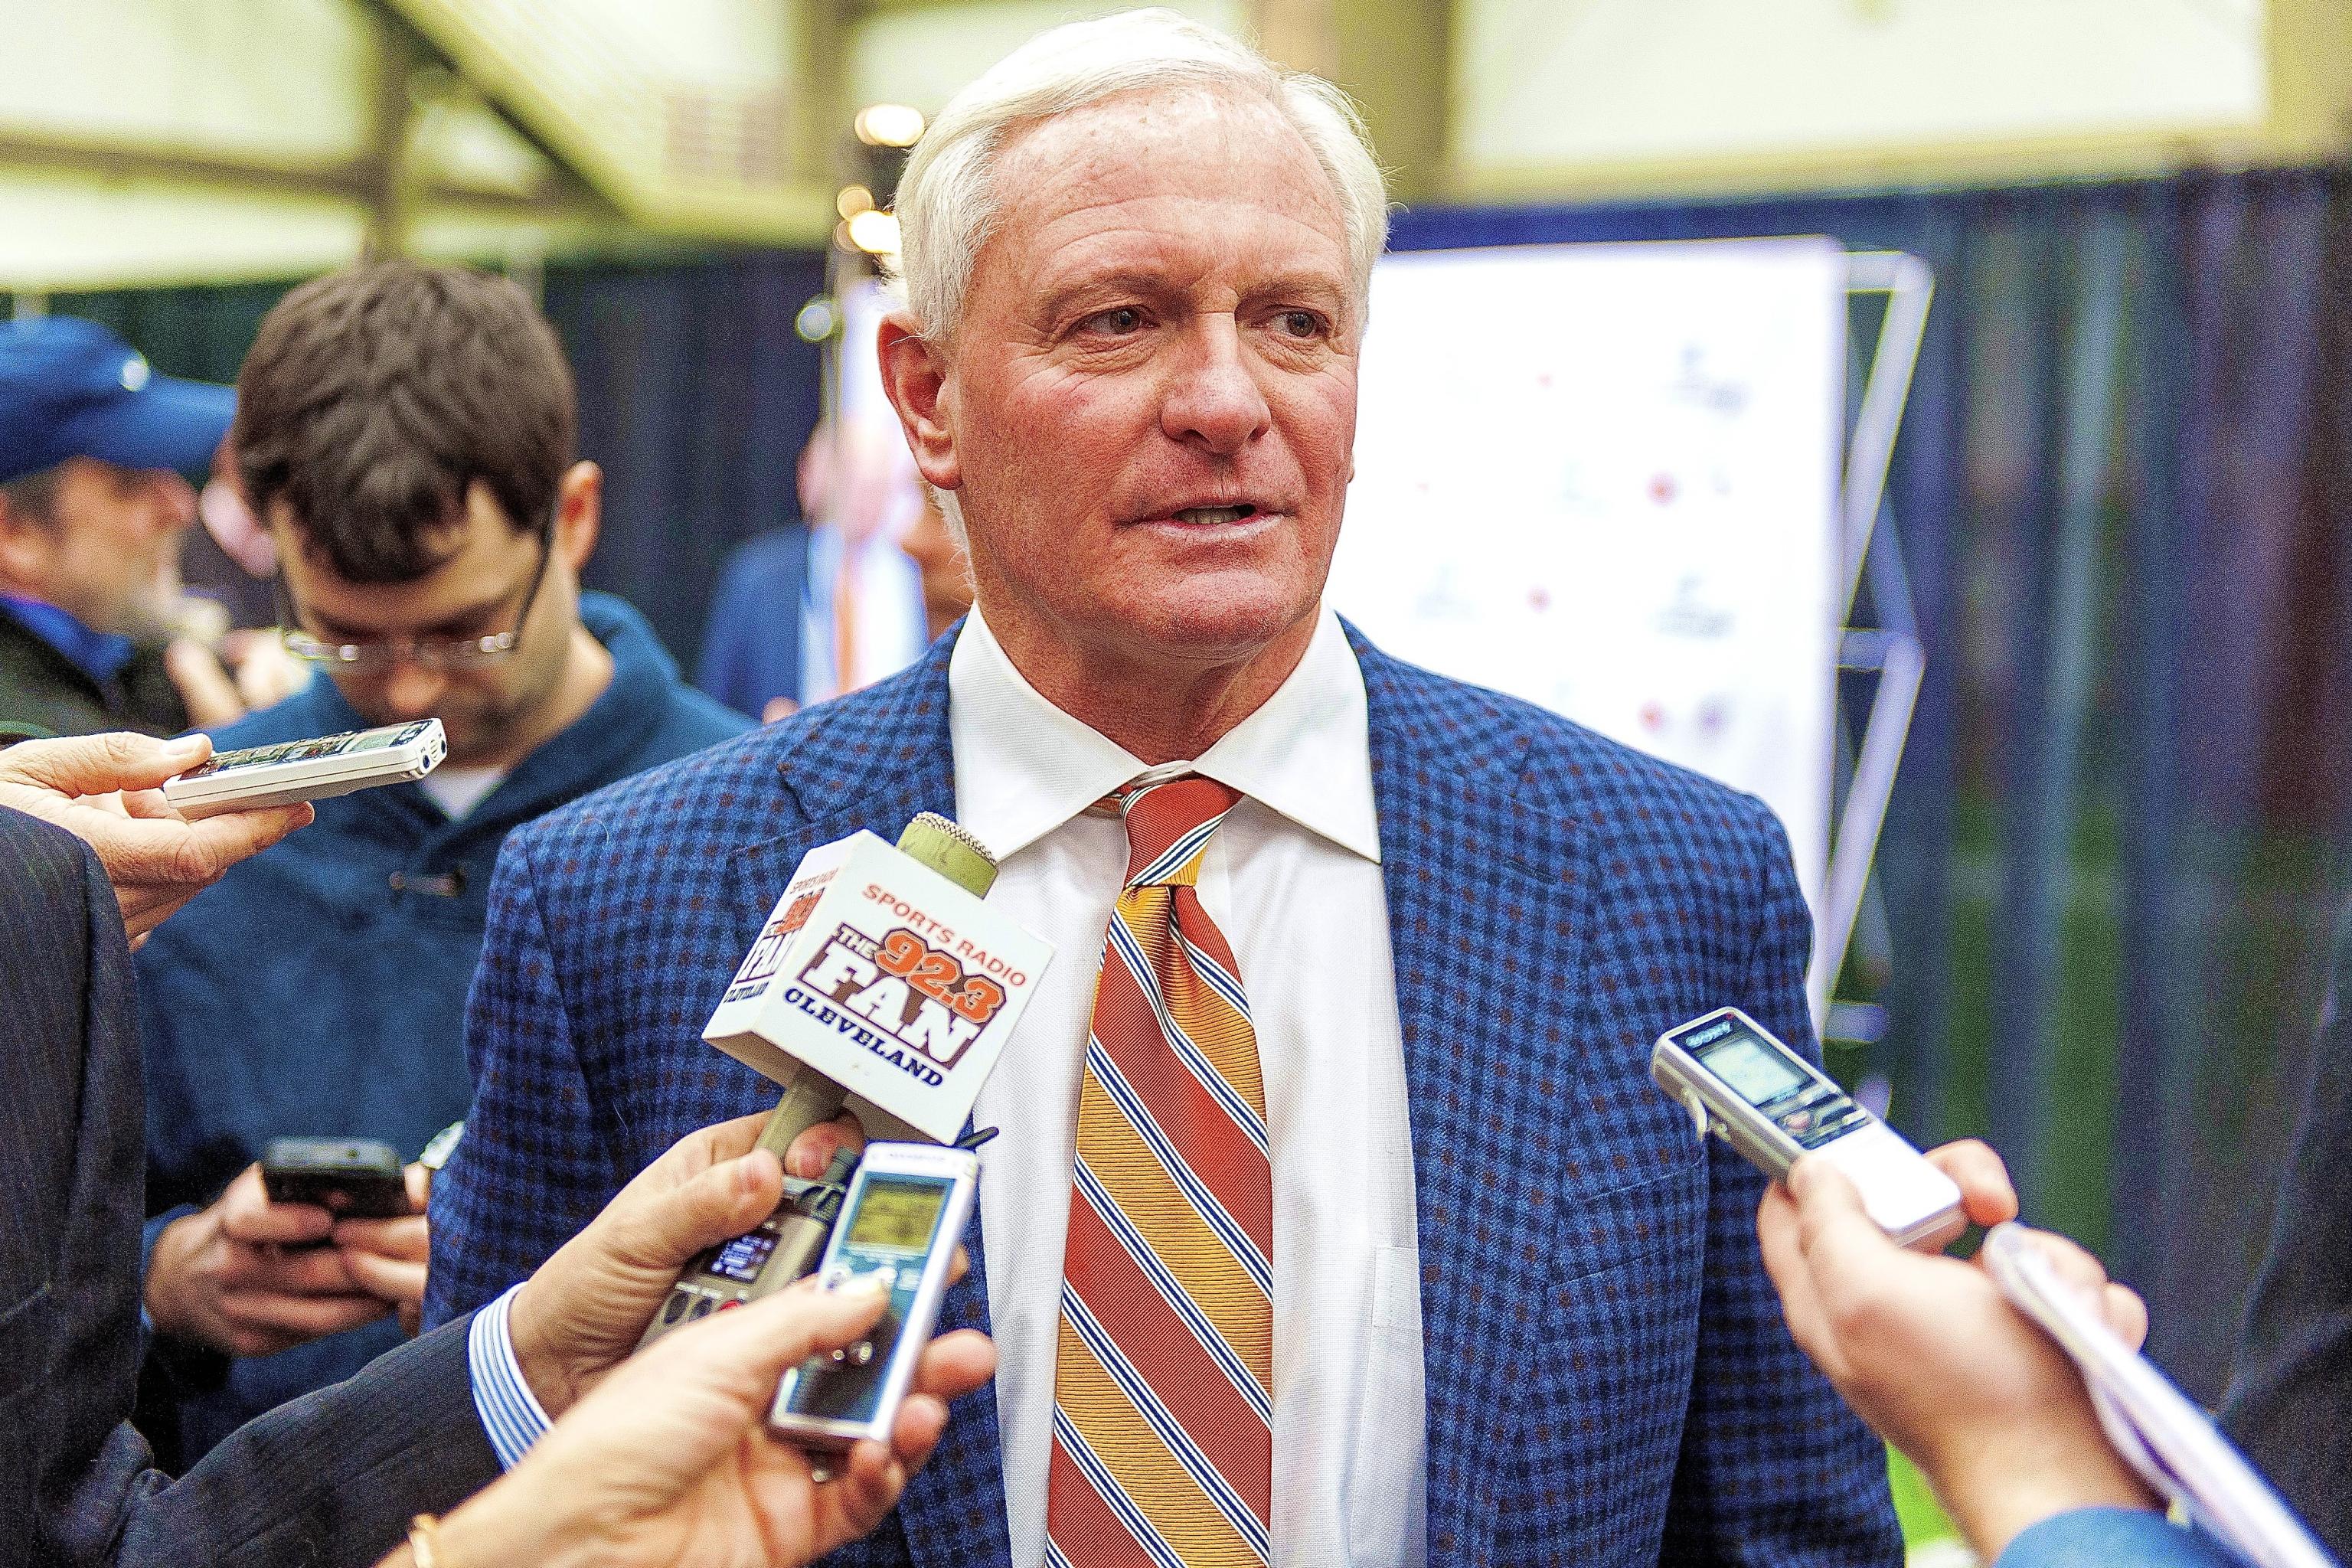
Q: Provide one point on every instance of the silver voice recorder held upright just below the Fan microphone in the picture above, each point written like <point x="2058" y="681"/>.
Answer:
<point x="902" y="1221"/>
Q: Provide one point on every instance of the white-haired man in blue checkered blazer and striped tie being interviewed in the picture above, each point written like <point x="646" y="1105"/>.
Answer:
<point x="1335" y="1219"/>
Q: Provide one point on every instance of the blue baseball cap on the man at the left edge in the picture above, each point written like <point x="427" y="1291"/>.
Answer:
<point x="72" y="389"/>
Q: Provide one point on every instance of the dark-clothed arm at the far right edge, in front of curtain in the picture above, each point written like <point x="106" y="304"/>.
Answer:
<point x="2292" y="1398"/>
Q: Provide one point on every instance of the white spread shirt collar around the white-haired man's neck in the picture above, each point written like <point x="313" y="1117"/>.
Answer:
<point x="1027" y="768"/>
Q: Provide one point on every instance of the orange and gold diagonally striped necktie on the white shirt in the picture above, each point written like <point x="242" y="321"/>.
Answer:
<point x="1163" y="1374"/>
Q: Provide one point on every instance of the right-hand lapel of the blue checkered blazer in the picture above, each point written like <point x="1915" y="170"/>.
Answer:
<point x="1488" y="911"/>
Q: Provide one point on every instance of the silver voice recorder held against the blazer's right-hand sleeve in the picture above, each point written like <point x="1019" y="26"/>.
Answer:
<point x="1772" y="1106"/>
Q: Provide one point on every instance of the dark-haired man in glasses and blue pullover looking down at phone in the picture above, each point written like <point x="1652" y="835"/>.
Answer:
<point x="408" y="438"/>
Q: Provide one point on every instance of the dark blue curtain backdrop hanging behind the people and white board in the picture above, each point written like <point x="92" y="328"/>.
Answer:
<point x="2111" y="862"/>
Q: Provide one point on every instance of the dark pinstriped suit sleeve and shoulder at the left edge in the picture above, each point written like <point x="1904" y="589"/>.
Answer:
<point x="330" y="1480"/>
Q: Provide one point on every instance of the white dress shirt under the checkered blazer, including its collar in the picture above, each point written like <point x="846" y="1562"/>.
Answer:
<point x="1295" y="885"/>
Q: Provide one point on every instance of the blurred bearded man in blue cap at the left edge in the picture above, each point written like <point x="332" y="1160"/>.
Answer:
<point x="93" y="509"/>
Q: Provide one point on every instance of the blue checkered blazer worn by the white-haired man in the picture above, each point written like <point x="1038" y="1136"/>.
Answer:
<point x="1608" y="1372"/>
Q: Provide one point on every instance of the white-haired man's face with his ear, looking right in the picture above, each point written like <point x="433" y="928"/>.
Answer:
<point x="1149" y="406"/>
